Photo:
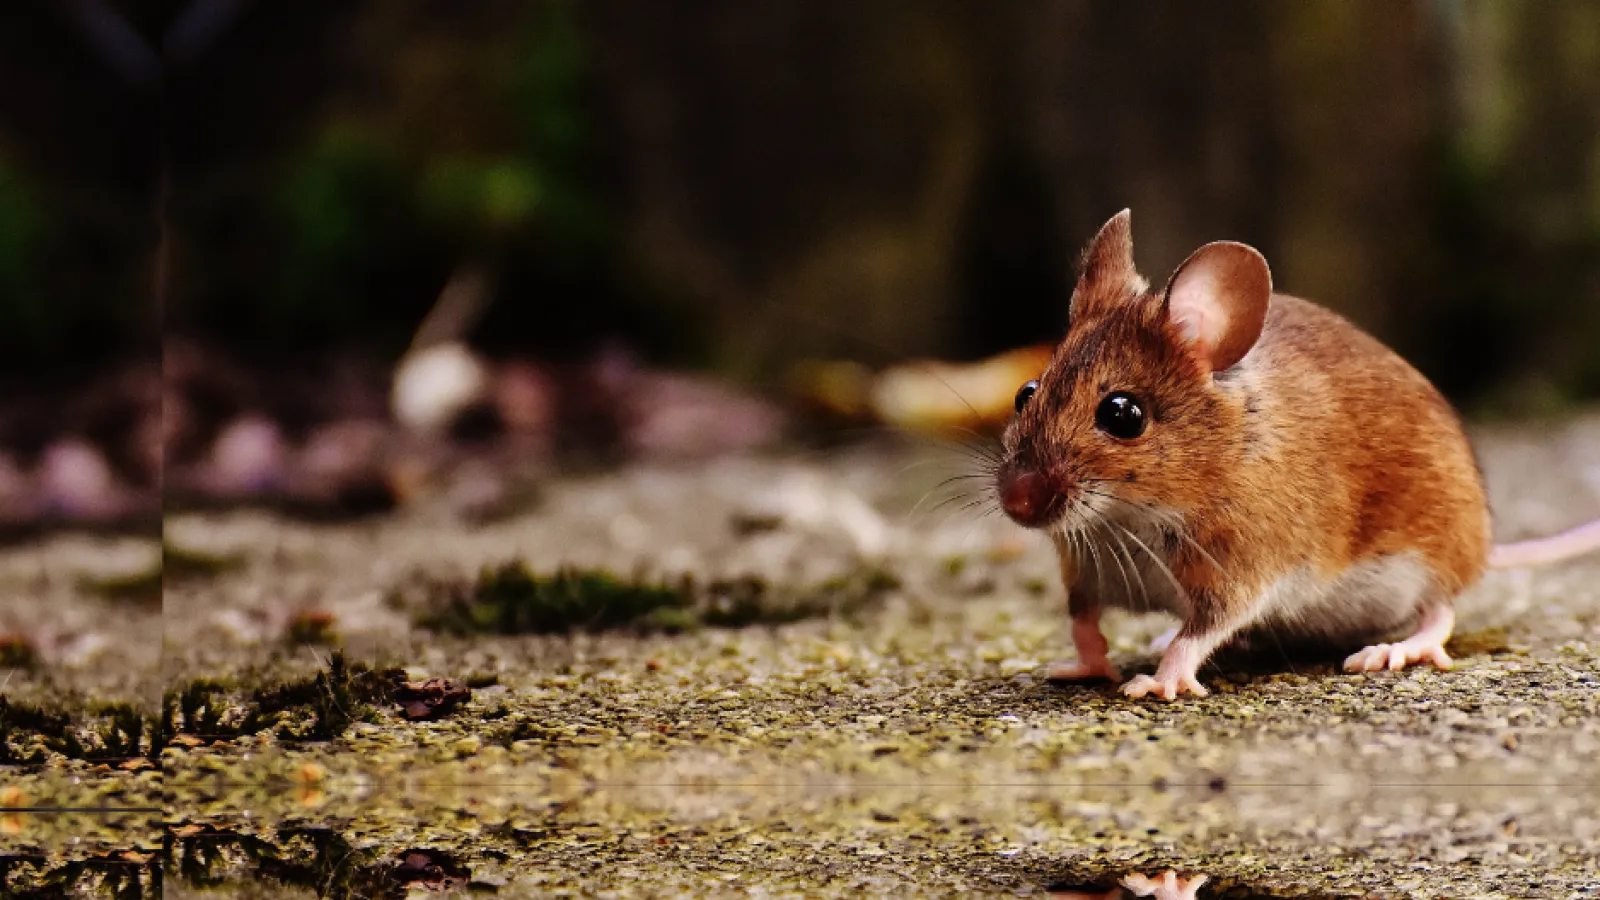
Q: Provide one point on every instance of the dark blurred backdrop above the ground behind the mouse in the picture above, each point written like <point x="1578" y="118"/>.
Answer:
<point x="734" y="188"/>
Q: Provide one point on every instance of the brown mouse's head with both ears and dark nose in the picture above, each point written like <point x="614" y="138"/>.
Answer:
<point x="1132" y="408"/>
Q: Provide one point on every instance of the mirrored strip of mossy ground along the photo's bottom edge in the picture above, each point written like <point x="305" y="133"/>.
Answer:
<point x="823" y="842"/>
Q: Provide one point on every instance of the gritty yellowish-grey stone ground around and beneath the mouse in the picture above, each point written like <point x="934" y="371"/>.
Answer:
<point x="905" y="749"/>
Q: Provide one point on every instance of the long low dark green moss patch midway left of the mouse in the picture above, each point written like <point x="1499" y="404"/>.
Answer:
<point x="511" y="600"/>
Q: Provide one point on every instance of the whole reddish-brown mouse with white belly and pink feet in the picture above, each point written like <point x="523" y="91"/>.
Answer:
<point x="1252" y="464"/>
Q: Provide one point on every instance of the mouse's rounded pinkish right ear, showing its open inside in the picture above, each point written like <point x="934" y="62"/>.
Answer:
<point x="1218" y="300"/>
